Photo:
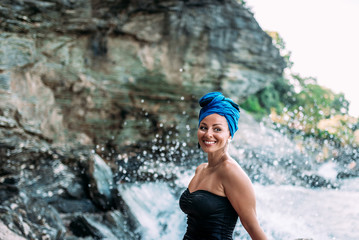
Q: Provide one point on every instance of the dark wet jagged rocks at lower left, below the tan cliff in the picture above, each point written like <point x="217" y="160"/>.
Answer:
<point x="53" y="193"/>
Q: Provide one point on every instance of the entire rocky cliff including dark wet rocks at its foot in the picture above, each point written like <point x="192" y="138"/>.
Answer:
<point x="110" y="74"/>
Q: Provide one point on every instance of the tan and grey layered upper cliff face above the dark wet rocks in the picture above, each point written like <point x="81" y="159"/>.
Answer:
<point x="119" y="72"/>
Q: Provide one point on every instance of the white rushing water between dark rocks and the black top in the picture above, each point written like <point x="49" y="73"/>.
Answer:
<point x="156" y="208"/>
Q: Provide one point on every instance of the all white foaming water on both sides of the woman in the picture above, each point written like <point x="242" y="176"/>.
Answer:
<point x="284" y="211"/>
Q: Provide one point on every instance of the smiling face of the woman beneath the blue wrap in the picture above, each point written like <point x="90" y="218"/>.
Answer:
<point x="213" y="133"/>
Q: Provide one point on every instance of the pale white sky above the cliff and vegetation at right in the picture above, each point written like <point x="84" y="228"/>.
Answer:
<point x="323" y="37"/>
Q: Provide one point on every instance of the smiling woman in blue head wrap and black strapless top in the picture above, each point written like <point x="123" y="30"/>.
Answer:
<point x="220" y="190"/>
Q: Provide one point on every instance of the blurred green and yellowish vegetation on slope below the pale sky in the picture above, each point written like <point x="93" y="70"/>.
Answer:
<point x="301" y="105"/>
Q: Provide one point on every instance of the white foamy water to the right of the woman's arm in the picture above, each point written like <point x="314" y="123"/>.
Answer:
<point x="291" y="212"/>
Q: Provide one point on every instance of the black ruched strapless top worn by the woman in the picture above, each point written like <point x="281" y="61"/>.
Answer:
<point x="209" y="216"/>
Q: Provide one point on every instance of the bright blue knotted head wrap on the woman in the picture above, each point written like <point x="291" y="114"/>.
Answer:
<point x="215" y="102"/>
